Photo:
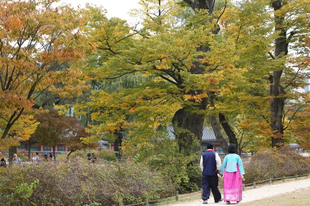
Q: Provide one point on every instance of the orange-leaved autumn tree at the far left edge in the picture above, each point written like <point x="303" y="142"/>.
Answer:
<point x="38" y="42"/>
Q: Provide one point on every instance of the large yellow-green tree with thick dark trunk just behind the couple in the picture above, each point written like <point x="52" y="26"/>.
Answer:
<point x="179" y="62"/>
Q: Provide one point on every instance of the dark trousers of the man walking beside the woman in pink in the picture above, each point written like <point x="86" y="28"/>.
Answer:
<point x="210" y="182"/>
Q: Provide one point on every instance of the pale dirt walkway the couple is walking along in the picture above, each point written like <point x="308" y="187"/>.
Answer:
<point x="259" y="193"/>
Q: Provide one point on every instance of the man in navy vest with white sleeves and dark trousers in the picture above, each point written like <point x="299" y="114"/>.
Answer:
<point x="210" y="164"/>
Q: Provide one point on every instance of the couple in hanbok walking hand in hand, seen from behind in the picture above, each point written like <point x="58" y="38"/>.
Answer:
<point x="232" y="170"/>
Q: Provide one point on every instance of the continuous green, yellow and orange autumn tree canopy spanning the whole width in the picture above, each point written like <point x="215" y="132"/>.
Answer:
<point x="239" y="68"/>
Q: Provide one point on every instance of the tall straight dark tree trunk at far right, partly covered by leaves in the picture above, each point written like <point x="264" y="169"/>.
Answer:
<point x="276" y="90"/>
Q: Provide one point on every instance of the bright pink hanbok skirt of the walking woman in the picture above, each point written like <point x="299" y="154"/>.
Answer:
<point x="232" y="185"/>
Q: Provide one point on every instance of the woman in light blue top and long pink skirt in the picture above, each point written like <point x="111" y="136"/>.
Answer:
<point x="233" y="171"/>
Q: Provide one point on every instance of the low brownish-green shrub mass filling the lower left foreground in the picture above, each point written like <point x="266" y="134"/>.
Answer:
<point x="84" y="183"/>
